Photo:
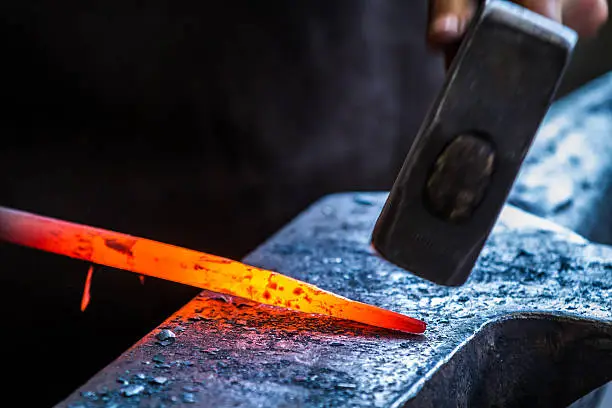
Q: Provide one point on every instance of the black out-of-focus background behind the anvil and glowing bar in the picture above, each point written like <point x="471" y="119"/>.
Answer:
<point x="203" y="124"/>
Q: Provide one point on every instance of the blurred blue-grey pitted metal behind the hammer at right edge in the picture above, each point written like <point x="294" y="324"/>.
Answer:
<point x="566" y="176"/>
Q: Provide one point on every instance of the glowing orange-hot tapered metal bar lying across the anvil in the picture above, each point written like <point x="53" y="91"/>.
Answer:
<point x="190" y="267"/>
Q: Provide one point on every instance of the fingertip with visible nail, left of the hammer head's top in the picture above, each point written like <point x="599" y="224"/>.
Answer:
<point x="449" y="20"/>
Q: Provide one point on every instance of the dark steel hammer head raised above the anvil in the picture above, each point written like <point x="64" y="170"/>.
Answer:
<point x="461" y="167"/>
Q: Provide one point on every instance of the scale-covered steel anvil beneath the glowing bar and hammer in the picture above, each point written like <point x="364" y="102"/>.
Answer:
<point x="532" y="327"/>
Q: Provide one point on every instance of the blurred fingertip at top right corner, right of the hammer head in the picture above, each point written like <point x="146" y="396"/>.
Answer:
<point x="585" y="16"/>
